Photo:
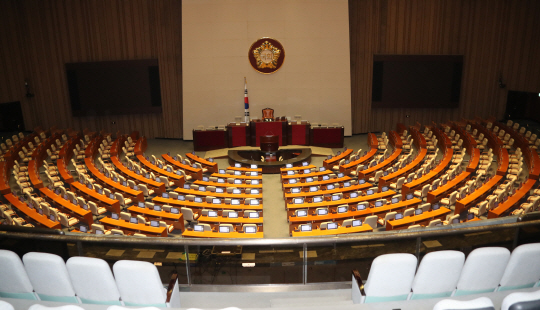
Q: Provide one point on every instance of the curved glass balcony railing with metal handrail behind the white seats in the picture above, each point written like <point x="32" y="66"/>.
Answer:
<point x="273" y="261"/>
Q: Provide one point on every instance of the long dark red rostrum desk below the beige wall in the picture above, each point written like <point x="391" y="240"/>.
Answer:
<point x="242" y="134"/>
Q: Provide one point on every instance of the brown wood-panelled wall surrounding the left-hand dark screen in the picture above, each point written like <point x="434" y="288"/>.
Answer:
<point x="44" y="35"/>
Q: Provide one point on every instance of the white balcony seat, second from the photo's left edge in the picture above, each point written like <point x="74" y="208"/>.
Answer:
<point x="49" y="277"/>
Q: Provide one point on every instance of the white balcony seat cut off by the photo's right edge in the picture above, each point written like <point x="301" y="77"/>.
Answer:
<point x="523" y="269"/>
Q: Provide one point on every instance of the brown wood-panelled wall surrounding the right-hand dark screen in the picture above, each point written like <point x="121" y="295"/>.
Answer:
<point x="496" y="37"/>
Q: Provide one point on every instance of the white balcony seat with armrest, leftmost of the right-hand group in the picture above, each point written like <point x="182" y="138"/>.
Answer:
<point x="390" y="279"/>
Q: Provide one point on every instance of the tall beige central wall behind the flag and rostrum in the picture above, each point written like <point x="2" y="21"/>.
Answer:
<point x="314" y="80"/>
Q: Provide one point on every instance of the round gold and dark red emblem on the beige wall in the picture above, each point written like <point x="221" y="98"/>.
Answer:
<point x="266" y="55"/>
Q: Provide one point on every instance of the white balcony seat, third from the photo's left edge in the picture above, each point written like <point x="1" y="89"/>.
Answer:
<point x="93" y="281"/>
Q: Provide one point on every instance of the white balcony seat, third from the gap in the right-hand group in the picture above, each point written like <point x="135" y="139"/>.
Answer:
<point x="482" y="271"/>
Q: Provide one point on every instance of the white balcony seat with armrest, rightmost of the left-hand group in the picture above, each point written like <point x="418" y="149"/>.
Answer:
<point x="140" y="285"/>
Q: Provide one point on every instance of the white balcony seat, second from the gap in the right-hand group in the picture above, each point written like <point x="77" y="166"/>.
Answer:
<point x="437" y="274"/>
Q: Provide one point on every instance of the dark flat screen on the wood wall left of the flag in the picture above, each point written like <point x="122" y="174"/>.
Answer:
<point x="114" y="87"/>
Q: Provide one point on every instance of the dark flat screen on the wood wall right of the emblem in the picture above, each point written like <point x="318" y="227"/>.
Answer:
<point x="416" y="81"/>
